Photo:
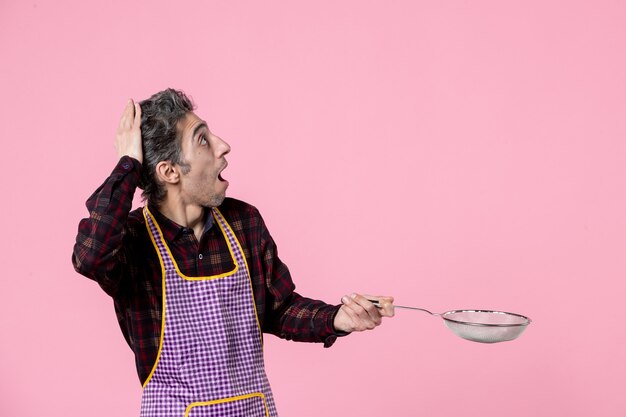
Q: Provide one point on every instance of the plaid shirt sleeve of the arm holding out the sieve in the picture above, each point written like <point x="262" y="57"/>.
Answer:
<point x="288" y="314"/>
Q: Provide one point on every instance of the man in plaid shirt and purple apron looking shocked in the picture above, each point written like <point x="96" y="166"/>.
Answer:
<point x="195" y="276"/>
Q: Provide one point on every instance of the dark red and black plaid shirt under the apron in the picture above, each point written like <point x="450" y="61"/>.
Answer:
<point x="113" y="247"/>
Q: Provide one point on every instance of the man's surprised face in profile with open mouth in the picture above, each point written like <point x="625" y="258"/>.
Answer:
<point x="204" y="153"/>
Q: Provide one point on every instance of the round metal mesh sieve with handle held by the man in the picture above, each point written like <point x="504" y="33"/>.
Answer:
<point x="484" y="326"/>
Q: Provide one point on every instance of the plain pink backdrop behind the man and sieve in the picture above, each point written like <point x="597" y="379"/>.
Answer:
<point x="454" y="154"/>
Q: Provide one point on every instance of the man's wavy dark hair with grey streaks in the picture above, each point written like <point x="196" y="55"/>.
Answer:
<point x="160" y="115"/>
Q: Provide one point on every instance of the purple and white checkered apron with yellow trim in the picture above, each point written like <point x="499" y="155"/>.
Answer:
<point x="210" y="360"/>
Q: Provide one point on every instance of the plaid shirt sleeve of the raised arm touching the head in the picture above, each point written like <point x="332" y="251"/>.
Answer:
<point x="99" y="252"/>
